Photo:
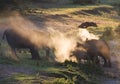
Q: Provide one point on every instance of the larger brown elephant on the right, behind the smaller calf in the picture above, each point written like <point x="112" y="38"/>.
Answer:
<point x="98" y="48"/>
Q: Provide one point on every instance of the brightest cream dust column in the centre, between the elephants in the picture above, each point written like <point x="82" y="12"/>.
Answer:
<point x="63" y="45"/>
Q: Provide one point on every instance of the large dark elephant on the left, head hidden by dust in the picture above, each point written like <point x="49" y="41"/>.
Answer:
<point x="17" y="40"/>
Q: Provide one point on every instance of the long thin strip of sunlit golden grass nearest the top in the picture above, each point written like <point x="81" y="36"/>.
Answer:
<point x="67" y="9"/>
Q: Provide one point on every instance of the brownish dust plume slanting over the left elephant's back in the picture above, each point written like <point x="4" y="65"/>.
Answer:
<point x="27" y="30"/>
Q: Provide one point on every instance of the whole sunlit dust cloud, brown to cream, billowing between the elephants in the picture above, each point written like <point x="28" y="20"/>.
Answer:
<point x="54" y="39"/>
